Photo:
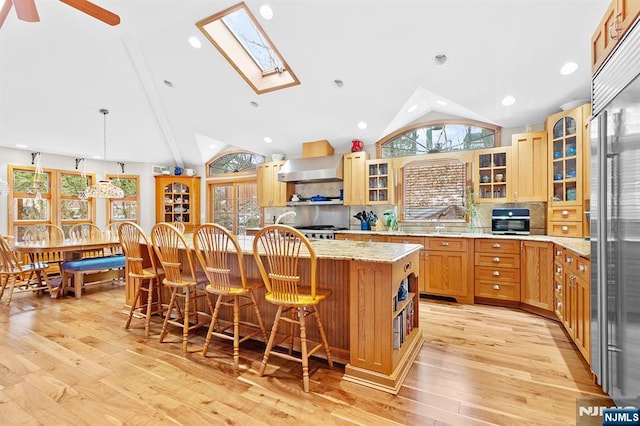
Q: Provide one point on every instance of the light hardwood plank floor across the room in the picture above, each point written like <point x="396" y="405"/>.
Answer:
<point x="71" y="362"/>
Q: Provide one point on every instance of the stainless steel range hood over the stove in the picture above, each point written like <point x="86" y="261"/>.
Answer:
<point x="312" y="169"/>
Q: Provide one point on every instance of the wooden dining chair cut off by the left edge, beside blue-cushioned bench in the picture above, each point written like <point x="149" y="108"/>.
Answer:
<point x="20" y="277"/>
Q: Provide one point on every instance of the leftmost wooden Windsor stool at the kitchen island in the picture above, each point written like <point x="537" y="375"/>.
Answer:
<point x="146" y="281"/>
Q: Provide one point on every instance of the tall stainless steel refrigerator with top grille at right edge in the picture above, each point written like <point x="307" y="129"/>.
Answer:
<point x="615" y="223"/>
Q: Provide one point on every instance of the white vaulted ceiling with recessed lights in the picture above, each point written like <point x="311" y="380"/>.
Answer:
<point x="57" y="73"/>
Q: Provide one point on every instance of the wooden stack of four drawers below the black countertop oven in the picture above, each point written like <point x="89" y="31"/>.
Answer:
<point x="497" y="269"/>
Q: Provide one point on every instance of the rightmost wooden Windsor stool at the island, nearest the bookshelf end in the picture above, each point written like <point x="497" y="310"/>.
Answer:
<point x="278" y="250"/>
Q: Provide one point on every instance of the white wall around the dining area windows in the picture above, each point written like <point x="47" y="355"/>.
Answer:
<point x="60" y="162"/>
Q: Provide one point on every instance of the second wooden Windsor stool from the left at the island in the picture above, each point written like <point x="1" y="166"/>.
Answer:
<point x="170" y="246"/>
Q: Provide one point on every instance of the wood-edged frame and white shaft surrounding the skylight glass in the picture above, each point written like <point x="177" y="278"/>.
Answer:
<point x="224" y="40"/>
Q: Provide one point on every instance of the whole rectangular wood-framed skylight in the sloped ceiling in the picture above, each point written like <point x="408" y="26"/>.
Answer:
<point x="238" y="36"/>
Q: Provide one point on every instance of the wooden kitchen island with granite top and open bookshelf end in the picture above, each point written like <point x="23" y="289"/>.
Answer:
<point x="371" y="318"/>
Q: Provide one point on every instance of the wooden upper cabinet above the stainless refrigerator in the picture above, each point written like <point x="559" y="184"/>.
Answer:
<point x="616" y="21"/>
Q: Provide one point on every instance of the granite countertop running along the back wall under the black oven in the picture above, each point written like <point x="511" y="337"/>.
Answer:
<point x="578" y="245"/>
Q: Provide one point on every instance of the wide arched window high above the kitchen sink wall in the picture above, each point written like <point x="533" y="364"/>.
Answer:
<point x="438" y="136"/>
